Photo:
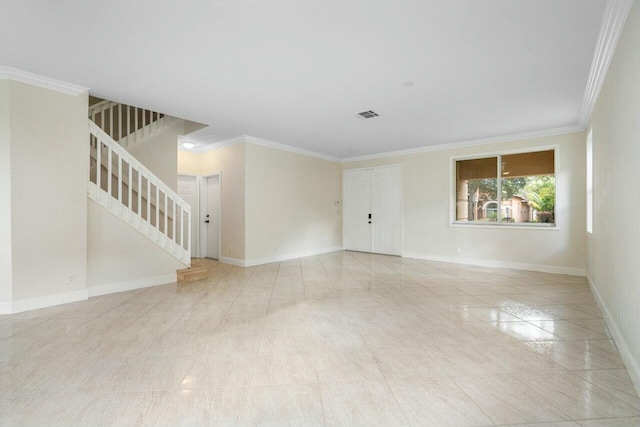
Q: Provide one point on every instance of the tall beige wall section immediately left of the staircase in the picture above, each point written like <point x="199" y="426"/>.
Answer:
<point x="49" y="169"/>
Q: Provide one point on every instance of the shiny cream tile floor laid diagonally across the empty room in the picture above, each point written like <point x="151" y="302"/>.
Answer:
<point x="342" y="339"/>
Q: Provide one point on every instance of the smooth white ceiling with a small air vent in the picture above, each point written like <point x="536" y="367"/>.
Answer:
<point x="296" y="72"/>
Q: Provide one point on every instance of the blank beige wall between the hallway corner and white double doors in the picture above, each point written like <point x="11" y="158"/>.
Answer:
<point x="290" y="201"/>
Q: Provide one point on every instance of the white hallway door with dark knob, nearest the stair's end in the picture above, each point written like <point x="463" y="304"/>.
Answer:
<point x="210" y="215"/>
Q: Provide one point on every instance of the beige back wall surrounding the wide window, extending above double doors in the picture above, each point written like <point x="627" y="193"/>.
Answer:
<point x="427" y="198"/>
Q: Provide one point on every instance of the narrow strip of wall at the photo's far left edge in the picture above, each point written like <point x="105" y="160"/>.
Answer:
<point x="5" y="195"/>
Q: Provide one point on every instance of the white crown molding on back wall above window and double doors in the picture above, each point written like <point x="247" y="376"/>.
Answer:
<point x="469" y="143"/>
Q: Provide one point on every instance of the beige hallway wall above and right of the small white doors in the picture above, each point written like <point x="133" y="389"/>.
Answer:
<point x="230" y="163"/>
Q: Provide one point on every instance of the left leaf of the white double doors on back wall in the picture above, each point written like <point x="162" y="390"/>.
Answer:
<point x="357" y="207"/>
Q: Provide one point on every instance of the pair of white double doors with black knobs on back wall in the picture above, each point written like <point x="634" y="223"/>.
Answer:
<point x="373" y="210"/>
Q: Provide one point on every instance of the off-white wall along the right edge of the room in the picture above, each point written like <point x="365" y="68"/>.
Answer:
<point x="613" y="249"/>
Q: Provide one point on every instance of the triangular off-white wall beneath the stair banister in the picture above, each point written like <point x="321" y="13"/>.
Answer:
<point x="121" y="258"/>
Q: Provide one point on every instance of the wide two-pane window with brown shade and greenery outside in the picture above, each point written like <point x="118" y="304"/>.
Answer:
<point x="506" y="189"/>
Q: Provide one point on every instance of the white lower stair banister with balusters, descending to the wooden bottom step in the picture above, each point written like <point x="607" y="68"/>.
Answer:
<point x="154" y="227"/>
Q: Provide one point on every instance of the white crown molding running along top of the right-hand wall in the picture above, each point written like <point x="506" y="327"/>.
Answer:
<point x="613" y="19"/>
